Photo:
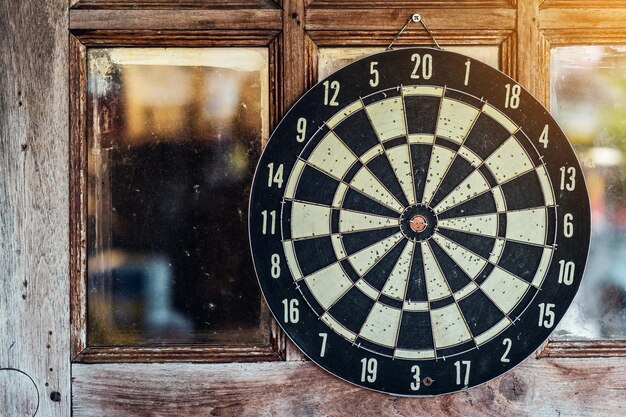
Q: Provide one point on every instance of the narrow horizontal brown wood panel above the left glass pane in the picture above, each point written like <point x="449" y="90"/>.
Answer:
<point x="221" y="19"/>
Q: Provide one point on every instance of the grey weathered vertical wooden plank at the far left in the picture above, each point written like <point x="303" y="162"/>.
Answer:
<point x="34" y="261"/>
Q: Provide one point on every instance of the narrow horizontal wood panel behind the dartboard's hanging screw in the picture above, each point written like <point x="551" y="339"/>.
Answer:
<point x="392" y="19"/>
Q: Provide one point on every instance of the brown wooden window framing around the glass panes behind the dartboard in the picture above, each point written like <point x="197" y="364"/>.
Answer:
<point x="293" y="30"/>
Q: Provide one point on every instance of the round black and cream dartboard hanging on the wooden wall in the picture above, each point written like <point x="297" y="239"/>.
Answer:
<point x="419" y="223"/>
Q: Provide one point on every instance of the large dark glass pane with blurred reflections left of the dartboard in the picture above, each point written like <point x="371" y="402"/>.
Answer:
<point x="173" y="137"/>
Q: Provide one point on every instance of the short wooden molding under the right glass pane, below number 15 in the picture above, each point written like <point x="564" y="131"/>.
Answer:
<point x="583" y="349"/>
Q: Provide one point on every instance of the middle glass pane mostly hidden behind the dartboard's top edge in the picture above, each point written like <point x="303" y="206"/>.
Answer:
<point x="331" y="59"/>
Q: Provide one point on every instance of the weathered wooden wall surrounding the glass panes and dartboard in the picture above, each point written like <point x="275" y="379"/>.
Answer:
<point x="34" y="207"/>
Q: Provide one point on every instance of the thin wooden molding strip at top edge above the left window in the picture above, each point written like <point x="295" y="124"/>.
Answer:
<point x="169" y="4"/>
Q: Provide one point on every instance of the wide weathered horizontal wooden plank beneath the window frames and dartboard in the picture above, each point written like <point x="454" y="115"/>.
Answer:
<point x="547" y="387"/>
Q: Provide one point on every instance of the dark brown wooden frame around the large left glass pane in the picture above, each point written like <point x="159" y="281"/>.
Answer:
<point x="262" y="32"/>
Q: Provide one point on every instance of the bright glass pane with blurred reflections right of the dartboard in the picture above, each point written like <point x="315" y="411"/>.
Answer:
<point x="588" y="99"/>
